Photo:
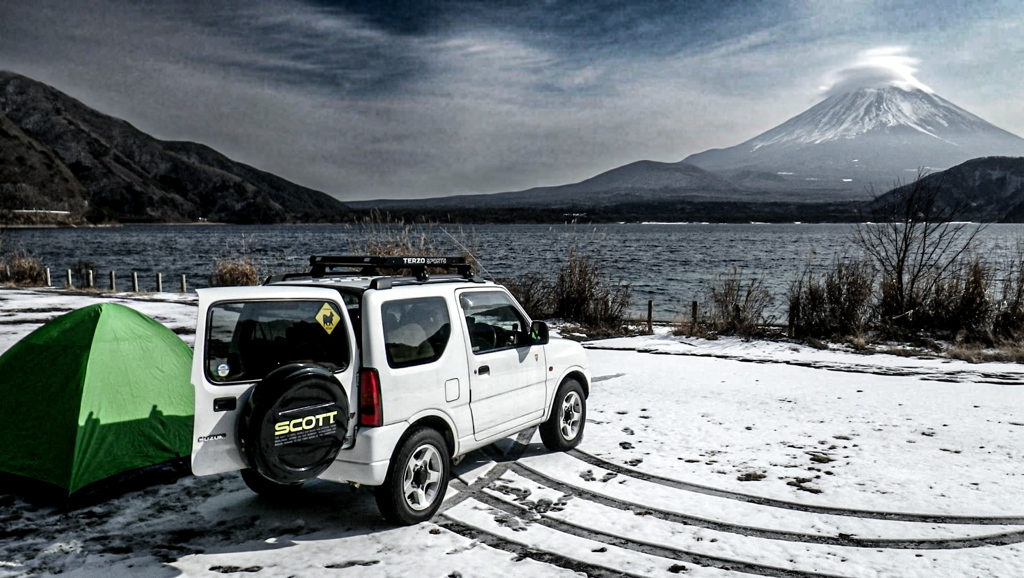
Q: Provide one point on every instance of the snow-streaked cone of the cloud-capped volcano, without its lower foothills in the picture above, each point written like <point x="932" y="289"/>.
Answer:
<point x="860" y="142"/>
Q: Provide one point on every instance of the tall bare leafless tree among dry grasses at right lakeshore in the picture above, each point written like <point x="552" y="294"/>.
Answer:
<point x="918" y="239"/>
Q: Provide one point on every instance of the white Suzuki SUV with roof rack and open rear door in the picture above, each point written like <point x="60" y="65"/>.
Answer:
<point x="374" y="380"/>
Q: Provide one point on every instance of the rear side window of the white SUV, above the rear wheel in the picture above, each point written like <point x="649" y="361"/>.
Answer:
<point x="416" y="332"/>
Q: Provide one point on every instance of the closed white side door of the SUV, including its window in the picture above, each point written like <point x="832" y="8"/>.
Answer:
<point x="507" y="379"/>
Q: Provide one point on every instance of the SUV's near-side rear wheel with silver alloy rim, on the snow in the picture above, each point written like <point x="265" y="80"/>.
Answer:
<point x="417" y="479"/>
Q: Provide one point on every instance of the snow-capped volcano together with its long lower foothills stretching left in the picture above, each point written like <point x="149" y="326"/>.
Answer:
<point x="857" y="144"/>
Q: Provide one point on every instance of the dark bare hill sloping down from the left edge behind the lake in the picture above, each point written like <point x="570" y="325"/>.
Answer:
<point x="59" y="154"/>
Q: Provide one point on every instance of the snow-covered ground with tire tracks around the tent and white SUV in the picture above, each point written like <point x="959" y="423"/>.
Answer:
<point x="704" y="459"/>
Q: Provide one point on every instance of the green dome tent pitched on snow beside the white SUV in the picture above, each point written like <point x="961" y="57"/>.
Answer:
<point x="99" y="393"/>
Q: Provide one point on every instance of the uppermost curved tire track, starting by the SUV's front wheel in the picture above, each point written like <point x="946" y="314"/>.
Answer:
<point x="796" y="507"/>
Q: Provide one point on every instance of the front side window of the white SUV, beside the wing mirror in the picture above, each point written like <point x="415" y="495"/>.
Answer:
<point x="494" y="321"/>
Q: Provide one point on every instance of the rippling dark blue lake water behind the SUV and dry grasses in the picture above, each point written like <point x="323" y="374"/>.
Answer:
<point x="669" y="264"/>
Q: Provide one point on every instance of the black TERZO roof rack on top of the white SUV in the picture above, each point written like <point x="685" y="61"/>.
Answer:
<point x="369" y="266"/>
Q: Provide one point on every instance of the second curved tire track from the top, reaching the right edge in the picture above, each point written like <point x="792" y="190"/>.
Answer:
<point x="781" y="535"/>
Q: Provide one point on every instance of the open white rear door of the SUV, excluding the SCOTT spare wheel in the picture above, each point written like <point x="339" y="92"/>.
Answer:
<point x="244" y="334"/>
